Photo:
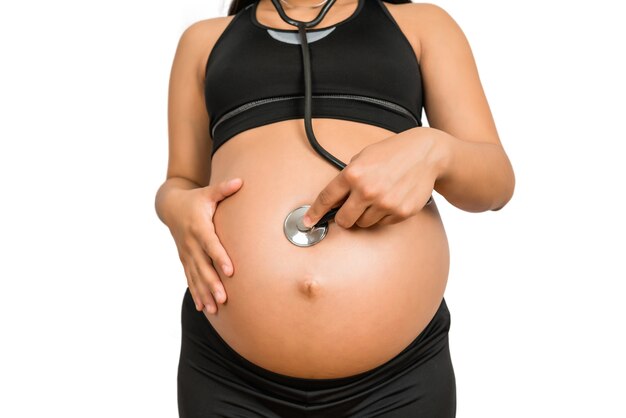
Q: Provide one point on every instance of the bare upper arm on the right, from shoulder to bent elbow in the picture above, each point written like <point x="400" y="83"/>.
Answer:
<point x="454" y="100"/>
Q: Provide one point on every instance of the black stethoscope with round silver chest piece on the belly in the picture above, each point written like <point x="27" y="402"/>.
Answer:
<point x="294" y="230"/>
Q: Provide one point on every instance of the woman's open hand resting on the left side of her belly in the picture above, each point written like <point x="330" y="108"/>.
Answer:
<point x="199" y="248"/>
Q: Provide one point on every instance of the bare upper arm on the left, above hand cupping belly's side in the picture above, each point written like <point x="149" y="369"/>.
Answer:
<point x="188" y="120"/>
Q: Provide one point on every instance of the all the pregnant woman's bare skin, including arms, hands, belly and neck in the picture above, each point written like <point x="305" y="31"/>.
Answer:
<point x="378" y="296"/>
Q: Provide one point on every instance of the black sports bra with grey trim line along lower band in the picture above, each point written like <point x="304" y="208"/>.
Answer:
<point x="363" y="69"/>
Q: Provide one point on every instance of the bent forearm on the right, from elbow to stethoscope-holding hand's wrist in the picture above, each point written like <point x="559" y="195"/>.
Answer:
<point x="475" y="176"/>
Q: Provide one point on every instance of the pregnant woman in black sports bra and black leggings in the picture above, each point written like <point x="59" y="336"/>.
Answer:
<point x="356" y="324"/>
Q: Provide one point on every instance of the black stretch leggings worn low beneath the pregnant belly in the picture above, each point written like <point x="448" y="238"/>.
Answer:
<point x="215" y="381"/>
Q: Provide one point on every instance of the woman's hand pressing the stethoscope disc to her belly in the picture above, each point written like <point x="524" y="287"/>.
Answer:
<point x="385" y="183"/>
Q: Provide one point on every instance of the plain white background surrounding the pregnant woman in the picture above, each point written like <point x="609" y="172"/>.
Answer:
<point x="91" y="285"/>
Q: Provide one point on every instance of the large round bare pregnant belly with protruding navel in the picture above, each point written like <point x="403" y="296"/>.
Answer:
<point x="343" y="306"/>
